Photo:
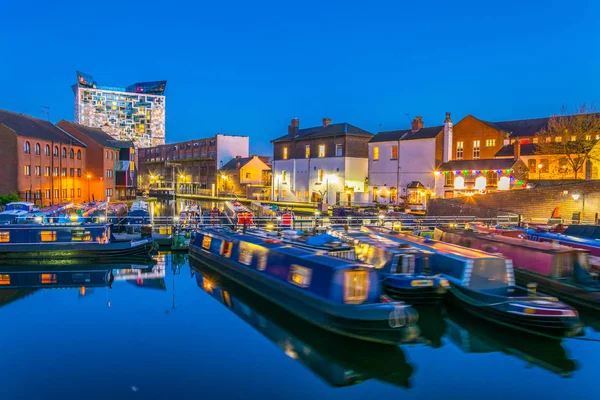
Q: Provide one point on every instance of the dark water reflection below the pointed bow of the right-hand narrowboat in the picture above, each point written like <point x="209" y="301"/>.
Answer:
<point x="472" y="336"/>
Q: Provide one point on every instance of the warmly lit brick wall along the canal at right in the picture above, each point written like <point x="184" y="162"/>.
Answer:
<point x="533" y="204"/>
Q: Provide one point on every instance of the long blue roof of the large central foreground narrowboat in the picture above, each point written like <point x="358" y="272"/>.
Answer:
<point x="312" y="255"/>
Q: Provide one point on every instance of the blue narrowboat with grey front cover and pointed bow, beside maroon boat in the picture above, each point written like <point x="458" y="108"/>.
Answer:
<point x="484" y="285"/>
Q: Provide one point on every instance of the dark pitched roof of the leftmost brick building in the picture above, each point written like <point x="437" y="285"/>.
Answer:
<point x="27" y="126"/>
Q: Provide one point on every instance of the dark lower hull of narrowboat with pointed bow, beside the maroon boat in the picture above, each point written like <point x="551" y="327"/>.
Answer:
<point x="498" y="313"/>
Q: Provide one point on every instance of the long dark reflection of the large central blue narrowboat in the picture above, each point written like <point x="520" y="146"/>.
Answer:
<point x="339" y="360"/>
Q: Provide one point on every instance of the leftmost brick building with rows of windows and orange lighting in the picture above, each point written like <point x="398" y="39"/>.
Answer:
<point x="40" y="161"/>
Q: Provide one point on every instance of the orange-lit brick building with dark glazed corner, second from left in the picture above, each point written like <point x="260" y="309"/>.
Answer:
<point x="110" y="164"/>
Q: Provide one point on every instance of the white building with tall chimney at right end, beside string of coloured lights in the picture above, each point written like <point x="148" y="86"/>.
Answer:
<point x="402" y="163"/>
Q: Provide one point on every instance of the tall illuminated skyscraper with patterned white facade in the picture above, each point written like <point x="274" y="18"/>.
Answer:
<point x="136" y="112"/>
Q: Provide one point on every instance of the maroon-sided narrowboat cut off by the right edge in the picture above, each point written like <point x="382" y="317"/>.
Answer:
<point x="558" y="270"/>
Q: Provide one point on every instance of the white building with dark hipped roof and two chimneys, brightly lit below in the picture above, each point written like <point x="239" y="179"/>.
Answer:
<point x="322" y="164"/>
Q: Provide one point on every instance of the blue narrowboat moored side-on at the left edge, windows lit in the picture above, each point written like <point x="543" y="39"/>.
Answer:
<point x="68" y="242"/>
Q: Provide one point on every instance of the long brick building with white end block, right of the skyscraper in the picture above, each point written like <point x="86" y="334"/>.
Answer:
<point x="190" y="166"/>
